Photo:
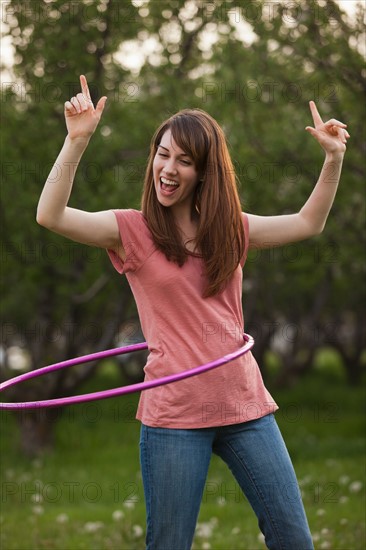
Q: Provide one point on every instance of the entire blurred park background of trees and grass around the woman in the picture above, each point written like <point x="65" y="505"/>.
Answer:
<point x="254" y="65"/>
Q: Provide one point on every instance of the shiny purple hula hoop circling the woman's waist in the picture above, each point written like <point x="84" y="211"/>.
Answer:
<point x="249" y="343"/>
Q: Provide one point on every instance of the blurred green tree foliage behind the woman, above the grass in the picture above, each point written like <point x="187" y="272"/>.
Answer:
<point x="252" y="66"/>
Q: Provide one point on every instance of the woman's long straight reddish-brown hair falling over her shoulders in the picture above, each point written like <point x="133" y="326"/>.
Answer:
<point x="220" y="235"/>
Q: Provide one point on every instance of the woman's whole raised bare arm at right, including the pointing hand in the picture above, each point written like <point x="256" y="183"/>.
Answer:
<point x="267" y="231"/>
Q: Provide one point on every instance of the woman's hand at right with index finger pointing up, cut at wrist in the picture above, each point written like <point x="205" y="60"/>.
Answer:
<point x="331" y="135"/>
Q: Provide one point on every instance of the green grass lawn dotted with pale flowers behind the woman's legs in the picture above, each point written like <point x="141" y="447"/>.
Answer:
<point x="87" y="492"/>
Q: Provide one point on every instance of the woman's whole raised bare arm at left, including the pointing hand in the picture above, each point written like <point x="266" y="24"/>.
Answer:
<point x="93" y="228"/>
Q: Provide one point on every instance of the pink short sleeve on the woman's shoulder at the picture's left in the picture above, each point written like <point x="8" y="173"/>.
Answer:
<point x="136" y="240"/>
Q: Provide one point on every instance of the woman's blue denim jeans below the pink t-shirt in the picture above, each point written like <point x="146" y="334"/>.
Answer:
<point x="174" y="465"/>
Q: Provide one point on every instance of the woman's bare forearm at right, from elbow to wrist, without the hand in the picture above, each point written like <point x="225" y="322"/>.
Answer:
<point x="315" y="211"/>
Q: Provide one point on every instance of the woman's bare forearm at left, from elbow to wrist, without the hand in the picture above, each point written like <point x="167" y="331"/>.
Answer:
<point x="58" y="186"/>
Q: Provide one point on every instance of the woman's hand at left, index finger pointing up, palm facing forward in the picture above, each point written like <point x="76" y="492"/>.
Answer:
<point x="80" y="115"/>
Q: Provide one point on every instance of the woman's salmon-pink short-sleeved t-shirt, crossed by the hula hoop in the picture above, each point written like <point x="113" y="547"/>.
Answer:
<point x="184" y="330"/>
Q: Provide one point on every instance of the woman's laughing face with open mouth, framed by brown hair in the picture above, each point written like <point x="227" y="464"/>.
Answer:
<point x="175" y="175"/>
